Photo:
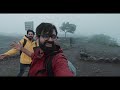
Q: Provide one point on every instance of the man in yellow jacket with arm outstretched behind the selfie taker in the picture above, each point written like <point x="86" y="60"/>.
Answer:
<point x="25" y="60"/>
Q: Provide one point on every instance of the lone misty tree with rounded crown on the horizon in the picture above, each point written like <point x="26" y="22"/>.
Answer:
<point x="66" y="27"/>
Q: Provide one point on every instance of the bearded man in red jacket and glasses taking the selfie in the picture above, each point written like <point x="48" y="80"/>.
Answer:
<point x="46" y="37"/>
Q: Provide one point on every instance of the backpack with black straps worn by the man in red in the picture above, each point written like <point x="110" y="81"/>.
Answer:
<point x="48" y="65"/>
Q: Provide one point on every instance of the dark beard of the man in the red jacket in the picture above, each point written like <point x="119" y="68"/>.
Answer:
<point x="48" y="47"/>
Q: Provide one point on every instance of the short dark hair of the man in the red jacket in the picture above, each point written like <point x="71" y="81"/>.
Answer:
<point x="43" y="28"/>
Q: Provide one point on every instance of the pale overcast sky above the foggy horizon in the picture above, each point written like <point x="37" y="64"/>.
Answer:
<point x="87" y="24"/>
